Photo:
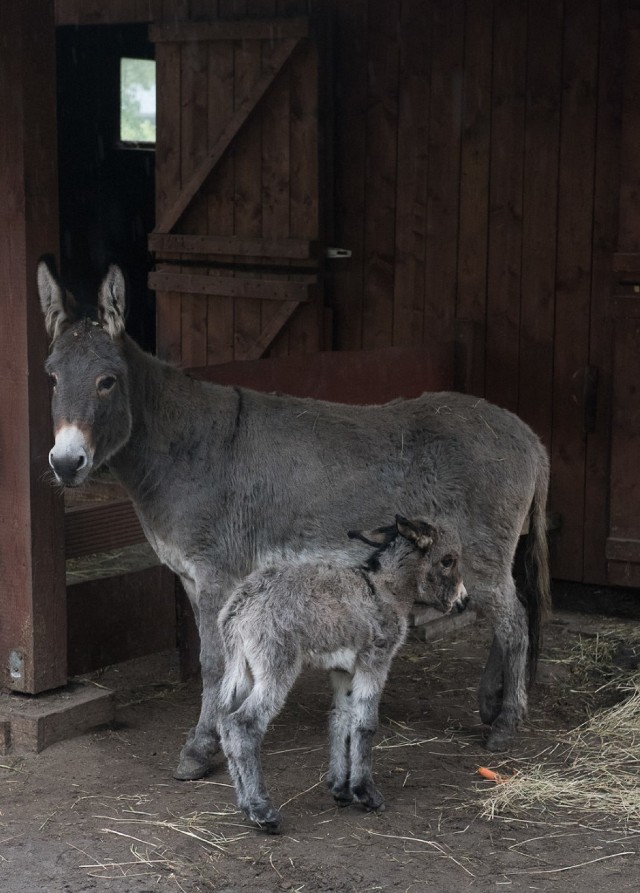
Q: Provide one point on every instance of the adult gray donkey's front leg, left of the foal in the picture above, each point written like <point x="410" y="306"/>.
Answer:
<point x="202" y="744"/>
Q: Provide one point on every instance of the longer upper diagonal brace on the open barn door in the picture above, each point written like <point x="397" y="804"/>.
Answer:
<point x="246" y="107"/>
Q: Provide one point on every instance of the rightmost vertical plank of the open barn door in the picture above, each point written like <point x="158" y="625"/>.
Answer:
<point x="305" y="330"/>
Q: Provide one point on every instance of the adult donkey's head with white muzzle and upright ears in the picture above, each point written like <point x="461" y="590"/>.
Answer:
<point x="86" y="366"/>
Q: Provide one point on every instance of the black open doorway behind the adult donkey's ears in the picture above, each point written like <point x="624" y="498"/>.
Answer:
<point x="106" y="186"/>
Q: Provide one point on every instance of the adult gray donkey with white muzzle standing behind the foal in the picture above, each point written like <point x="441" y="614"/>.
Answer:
<point x="225" y="479"/>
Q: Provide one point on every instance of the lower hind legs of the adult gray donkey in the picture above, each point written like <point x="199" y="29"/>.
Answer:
<point x="507" y="662"/>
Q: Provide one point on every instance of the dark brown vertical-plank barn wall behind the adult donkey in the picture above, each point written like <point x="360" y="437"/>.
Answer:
<point x="475" y="178"/>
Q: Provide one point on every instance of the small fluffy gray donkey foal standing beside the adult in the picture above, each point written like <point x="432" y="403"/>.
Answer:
<point x="349" y="620"/>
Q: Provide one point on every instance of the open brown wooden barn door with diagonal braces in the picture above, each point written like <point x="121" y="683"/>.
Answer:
<point x="237" y="186"/>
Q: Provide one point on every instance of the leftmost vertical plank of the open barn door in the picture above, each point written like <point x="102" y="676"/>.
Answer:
<point x="168" y="114"/>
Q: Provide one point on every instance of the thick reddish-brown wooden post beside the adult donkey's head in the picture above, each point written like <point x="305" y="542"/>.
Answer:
<point x="33" y="626"/>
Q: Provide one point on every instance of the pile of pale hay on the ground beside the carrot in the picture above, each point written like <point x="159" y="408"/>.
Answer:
<point x="594" y="769"/>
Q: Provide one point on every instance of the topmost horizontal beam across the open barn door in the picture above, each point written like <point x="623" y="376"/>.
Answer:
<point x="244" y="29"/>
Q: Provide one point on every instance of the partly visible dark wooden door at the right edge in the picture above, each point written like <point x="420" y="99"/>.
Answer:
<point x="623" y="543"/>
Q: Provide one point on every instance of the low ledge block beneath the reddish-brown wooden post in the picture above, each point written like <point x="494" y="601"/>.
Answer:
<point x="33" y="723"/>
